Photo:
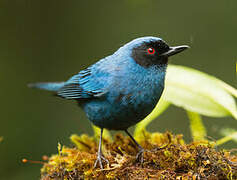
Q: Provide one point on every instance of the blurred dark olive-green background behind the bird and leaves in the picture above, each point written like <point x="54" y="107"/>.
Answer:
<point x="45" y="40"/>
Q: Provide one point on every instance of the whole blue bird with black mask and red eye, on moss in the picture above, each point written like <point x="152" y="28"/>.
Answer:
<point x="121" y="89"/>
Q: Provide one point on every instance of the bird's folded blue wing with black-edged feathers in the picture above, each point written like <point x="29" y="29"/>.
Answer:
<point x="83" y="85"/>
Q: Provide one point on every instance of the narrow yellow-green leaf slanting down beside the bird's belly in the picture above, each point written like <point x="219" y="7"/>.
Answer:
<point x="161" y="106"/>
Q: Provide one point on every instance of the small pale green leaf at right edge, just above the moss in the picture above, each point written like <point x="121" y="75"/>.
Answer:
<point x="230" y="134"/>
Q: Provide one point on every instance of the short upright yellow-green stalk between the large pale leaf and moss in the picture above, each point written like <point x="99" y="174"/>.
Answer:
<point x="197" y="128"/>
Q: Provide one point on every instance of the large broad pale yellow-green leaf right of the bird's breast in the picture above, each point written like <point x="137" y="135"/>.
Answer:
<point x="198" y="92"/>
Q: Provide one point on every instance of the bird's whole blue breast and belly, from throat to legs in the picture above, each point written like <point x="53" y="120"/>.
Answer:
<point x="129" y="99"/>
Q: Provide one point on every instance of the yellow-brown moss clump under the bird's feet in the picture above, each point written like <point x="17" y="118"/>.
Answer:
<point x="168" y="157"/>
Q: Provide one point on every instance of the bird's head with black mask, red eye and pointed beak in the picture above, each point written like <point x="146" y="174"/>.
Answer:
<point x="148" y="51"/>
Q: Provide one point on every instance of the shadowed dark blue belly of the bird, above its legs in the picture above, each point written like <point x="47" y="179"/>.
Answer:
<point x="121" y="112"/>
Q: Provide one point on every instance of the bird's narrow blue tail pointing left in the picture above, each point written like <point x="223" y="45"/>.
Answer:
<point x="49" y="86"/>
